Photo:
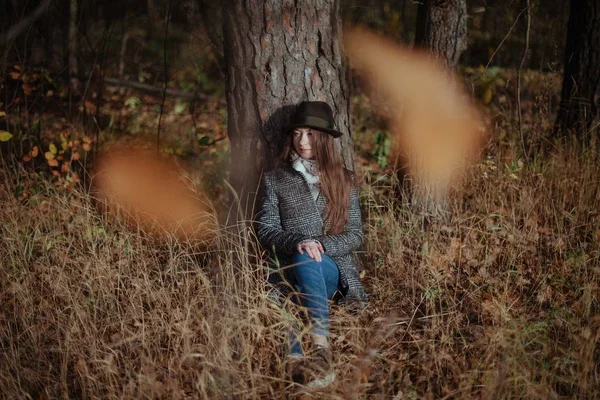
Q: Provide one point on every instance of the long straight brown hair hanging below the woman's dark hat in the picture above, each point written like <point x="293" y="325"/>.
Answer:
<point x="335" y="179"/>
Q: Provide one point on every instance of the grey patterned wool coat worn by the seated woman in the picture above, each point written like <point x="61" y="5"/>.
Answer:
<point x="288" y="214"/>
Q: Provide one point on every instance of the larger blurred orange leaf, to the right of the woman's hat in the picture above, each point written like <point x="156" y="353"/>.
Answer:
<point x="436" y="130"/>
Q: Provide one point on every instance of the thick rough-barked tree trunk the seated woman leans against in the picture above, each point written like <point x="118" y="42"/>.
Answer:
<point x="278" y="53"/>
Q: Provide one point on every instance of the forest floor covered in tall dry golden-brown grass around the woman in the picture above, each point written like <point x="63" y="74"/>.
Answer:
<point x="499" y="299"/>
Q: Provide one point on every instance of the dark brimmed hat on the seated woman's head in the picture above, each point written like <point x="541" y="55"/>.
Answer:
<point x="313" y="114"/>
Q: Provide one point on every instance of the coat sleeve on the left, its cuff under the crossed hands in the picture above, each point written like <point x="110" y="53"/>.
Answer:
<point x="267" y="222"/>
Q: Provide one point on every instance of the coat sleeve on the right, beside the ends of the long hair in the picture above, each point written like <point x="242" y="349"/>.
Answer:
<point x="350" y="239"/>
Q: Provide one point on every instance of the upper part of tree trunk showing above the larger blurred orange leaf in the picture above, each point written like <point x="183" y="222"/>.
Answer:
<point x="442" y="29"/>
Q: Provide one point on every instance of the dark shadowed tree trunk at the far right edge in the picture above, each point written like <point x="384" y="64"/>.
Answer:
<point x="581" y="82"/>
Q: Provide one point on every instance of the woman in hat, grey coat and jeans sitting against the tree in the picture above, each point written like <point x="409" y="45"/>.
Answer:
<point x="309" y="219"/>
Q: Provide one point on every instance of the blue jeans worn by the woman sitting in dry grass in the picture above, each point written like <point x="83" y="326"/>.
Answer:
<point x="316" y="282"/>
